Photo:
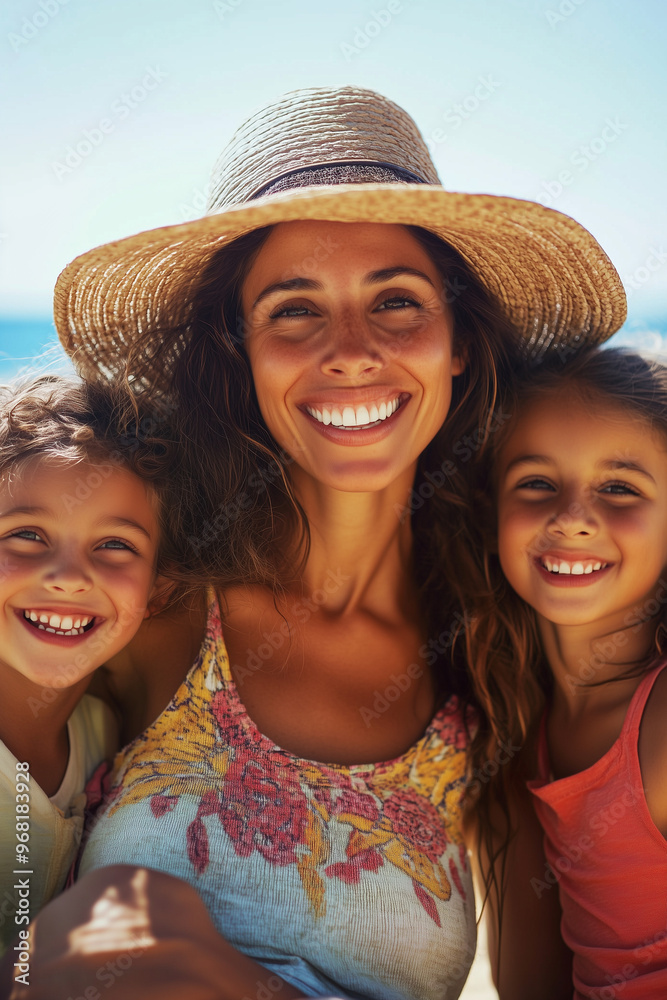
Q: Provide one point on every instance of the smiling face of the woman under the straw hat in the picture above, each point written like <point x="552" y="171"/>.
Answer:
<point x="349" y="338"/>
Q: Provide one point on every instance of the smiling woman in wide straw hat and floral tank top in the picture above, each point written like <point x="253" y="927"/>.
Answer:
<point x="334" y="368"/>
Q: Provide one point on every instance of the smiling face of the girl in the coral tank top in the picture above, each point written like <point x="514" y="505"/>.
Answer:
<point x="583" y="489"/>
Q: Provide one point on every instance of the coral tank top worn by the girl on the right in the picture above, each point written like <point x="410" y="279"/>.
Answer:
<point x="610" y="862"/>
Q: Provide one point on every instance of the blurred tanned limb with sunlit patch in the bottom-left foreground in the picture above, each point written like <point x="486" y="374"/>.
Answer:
<point x="146" y="929"/>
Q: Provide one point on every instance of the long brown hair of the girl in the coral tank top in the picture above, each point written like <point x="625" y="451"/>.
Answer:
<point x="510" y="676"/>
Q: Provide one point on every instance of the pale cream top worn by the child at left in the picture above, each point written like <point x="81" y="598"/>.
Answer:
<point x="56" y="823"/>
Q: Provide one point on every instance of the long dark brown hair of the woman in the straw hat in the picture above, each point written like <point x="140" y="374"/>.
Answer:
<point x="242" y="517"/>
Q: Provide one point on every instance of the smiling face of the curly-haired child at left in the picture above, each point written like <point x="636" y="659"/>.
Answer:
<point x="78" y="546"/>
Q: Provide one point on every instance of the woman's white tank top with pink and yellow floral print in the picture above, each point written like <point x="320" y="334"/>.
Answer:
<point x="345" y="880"/>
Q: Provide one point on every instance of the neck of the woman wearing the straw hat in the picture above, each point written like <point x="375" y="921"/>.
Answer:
<point x="360" y="546"/>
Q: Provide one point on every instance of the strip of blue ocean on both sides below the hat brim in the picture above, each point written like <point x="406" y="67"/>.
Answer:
<point x="30" y="343"/>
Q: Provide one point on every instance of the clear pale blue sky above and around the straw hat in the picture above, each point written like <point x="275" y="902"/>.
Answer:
<point x="564" y="87"/>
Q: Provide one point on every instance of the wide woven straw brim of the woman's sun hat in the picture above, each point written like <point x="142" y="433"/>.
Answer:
<point x="547" y="271"/>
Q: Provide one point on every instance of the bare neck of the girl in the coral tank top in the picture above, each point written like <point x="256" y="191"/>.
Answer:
<point x="582" y="657"/>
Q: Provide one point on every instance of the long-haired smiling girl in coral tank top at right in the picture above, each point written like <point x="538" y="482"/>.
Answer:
<point x="581" y="490"/>
